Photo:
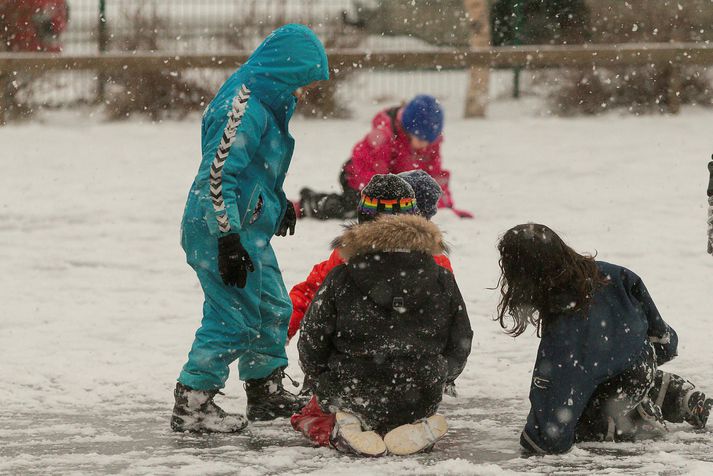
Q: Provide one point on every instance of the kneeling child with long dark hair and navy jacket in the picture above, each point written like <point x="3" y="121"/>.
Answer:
<point x="596" y="375"/>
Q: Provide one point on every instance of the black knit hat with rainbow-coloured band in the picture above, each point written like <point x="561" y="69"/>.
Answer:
<point x="386" y="193"/>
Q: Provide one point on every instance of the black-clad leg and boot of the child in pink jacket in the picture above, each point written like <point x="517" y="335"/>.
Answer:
<point x="326" y="206"/>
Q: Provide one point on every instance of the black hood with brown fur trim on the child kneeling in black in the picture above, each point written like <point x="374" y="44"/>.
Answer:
<point x="391" y="260"/>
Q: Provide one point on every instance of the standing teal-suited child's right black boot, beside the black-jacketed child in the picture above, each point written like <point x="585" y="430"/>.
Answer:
<point x="268" y="399"/>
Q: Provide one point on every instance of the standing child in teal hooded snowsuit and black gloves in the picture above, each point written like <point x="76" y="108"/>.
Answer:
<point x="235" y="206"/>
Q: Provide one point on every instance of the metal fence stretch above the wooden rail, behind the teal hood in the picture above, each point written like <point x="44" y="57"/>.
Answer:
<point x="199" y="26"/>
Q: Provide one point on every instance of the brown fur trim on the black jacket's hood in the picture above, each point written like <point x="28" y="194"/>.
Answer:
<point x="391" y="233"/>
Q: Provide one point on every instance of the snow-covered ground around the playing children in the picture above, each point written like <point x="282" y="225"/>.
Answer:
<point x="98" y="308"/>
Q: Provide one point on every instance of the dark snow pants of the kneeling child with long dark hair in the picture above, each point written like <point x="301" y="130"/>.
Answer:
<point x="620" y="407"/>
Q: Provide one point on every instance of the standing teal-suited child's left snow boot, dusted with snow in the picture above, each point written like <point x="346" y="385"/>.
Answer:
<point x="195" y="411"/>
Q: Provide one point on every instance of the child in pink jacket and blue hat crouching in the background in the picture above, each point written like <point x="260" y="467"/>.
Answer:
<point x="402" y="138"/>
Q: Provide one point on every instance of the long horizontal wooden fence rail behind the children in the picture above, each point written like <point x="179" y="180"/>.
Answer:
<point x="500" y="57"/>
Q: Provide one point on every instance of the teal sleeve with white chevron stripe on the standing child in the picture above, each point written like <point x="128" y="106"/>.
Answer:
<point x="227" y="189"/>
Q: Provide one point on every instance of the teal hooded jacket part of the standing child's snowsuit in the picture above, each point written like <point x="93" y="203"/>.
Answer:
<point x="289" y="58"/>
